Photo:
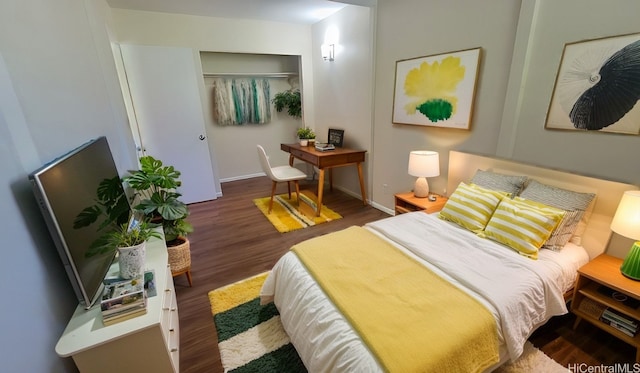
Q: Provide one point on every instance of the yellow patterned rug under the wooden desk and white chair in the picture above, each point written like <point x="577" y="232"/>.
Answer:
<point x="285" y="215"/>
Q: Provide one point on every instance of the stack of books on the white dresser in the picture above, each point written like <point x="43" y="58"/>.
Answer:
<point x="123" y="300"/>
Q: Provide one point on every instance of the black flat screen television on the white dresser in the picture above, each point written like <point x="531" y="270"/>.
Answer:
<point x="63" y="188"/>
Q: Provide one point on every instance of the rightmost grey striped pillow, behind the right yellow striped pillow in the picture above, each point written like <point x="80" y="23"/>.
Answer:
<point x="574" y="203"/>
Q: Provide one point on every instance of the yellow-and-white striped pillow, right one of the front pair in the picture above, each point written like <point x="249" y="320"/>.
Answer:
<point x="522" y="224"/>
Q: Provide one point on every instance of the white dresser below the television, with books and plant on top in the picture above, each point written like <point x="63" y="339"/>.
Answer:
<point x="147" y="343"/>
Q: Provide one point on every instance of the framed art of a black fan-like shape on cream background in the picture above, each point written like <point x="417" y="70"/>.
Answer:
<point x="597" y="86"/>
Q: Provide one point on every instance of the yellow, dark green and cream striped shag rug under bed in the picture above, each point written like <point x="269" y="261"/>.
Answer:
<point x="251" y="337"/>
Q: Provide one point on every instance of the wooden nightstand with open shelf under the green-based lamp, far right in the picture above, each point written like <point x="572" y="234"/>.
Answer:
<point x="596" y="280"/>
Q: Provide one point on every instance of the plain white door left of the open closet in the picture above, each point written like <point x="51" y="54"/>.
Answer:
<point x="168" y="111"/>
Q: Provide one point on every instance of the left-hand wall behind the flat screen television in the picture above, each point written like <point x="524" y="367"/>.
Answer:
<point x="58" y="89"/>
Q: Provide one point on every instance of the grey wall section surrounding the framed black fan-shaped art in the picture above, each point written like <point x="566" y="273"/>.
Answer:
<point x="553" y="23"/>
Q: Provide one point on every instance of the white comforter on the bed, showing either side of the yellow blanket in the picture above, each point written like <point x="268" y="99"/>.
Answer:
<point x="521" y="293"/>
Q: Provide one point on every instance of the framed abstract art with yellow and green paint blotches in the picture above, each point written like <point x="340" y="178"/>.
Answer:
<point x="436" y="90"/>
